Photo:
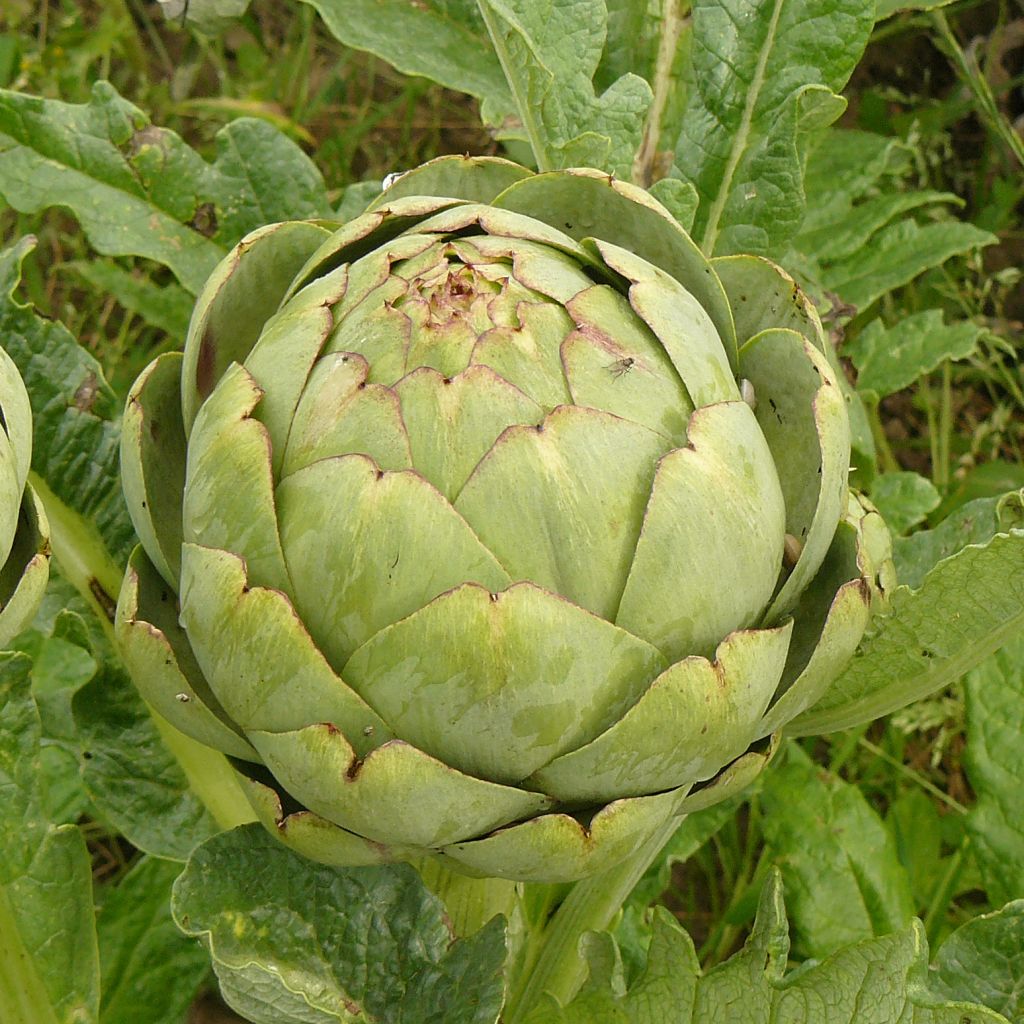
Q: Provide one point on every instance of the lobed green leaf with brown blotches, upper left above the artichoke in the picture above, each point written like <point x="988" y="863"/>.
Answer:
<point x="139" y="190"/>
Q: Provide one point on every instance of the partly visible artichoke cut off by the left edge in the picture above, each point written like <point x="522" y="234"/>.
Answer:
<point x="25" y="546"/>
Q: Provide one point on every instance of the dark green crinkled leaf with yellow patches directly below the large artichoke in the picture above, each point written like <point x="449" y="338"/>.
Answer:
<point x="294" y="942"/>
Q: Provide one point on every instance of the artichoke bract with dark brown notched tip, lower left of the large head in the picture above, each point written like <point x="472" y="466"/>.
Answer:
<point x="396" y="795"/>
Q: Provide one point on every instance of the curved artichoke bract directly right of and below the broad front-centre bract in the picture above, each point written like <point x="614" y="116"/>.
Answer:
<point x="696" y="717"/>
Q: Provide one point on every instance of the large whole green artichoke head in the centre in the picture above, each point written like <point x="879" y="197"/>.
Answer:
<point x="497" y="525"/>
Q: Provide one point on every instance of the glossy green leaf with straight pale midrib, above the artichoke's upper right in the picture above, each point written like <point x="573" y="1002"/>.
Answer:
<point x="764" y="74"/>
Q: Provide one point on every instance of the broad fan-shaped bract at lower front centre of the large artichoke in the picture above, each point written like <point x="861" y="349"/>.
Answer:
<point x="498" y="685"/>
